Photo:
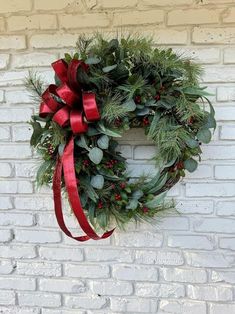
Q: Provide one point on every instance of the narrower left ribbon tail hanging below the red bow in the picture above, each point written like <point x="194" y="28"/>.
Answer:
<point x="58" y="203"/>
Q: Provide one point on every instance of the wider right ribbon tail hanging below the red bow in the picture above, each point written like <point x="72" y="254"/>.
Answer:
<point x="71" y="186"/>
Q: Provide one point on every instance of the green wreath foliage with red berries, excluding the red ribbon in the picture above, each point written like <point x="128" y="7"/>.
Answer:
<point x="135" y="85"/>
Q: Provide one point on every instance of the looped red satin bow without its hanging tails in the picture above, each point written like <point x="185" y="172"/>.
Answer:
<point x="75" y="103"/>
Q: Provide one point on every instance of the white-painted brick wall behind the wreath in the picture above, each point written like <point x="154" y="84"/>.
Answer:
<point x="187" y="264"/>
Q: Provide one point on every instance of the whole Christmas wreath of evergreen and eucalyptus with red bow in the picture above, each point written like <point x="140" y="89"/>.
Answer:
<point x="105" y="88"/>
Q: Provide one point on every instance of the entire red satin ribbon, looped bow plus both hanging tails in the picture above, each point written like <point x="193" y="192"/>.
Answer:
<point x="71" y="110"/>
